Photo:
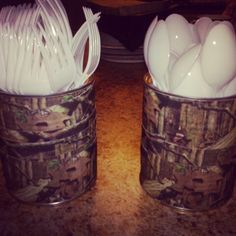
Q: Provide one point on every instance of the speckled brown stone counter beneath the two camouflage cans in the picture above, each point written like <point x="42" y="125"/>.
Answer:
<point x="116" y="205"/>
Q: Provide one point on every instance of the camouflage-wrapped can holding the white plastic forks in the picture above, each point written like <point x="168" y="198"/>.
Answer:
<point x="49" y="145"/>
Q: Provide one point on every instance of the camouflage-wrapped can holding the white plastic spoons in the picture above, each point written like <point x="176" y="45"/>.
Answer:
<point x="188" y="149"/>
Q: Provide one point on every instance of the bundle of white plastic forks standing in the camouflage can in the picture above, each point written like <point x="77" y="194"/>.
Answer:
<point x="38" y="53"/>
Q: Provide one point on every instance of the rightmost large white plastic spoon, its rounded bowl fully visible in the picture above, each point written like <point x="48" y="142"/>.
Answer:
<point x="218" y="56"/>
